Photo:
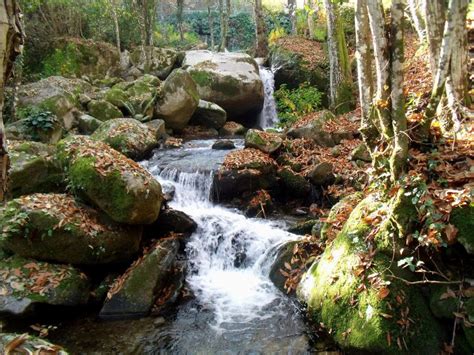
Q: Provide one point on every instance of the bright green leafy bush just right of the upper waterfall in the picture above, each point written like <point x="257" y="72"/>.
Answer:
<point x="293" y="103"/>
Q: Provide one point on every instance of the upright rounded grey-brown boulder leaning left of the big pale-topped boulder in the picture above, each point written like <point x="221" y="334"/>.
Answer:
<point x="178" y="100"/>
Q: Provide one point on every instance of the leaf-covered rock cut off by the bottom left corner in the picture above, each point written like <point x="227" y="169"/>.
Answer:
<point x="28" y="344"/>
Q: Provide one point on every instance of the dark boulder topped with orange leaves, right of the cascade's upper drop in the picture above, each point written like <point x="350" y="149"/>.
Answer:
<point x="244" y="171"/>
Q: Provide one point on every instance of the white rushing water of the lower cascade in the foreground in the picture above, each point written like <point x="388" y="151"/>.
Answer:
<point x="229" y="255"/>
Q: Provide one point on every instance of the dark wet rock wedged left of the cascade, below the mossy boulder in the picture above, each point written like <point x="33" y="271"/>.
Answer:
<point x="171" y="220"/>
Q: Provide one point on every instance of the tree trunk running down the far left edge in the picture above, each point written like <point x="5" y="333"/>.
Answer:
<point x="11" y="43"/>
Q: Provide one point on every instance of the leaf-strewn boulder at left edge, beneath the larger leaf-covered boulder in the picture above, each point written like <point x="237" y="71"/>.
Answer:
<point x="26" y="283"/>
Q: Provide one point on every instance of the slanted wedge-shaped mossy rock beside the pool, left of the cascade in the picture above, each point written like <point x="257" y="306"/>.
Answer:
<point x="134" y="293"/>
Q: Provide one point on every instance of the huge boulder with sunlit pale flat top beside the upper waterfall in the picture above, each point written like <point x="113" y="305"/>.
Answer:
<point x="231" y="80"/>
